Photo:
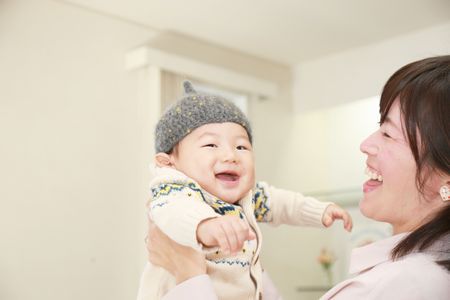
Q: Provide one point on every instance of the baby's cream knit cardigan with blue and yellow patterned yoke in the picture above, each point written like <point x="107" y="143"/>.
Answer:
<point x="178" y="205"/>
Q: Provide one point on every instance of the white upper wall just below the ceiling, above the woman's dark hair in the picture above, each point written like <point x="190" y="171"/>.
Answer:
<point x="361" y="72"/>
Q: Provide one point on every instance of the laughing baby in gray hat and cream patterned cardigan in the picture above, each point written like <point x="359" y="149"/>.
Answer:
<point x="204" y="196"/>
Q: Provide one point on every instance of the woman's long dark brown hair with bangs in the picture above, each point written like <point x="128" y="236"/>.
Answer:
<point x="423" y="88"/>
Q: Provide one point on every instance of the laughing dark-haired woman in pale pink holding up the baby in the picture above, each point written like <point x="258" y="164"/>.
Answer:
<point x="408" y="160"/>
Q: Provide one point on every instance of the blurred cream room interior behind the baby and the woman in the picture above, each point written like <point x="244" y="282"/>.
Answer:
<point x="82" y="84"/>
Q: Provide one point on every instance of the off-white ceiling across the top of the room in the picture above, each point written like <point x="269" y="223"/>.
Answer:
<point x="285" y="31"/>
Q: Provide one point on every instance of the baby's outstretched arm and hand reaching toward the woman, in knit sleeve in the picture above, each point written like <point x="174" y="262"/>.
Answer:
<point x="278" y="206"/>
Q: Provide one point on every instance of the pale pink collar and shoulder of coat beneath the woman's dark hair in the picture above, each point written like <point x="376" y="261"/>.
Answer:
<point x="414" y="277"/>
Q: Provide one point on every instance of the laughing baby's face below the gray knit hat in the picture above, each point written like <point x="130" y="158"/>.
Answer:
<point x="219" y="157"/>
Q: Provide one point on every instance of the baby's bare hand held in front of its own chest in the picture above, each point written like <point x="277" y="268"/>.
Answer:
<point x="227" y="232"/>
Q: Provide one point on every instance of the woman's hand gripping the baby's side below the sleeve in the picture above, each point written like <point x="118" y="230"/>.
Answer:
<point x="181" y="261"/>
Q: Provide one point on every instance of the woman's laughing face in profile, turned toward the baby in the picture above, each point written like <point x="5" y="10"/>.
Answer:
<point x="391" y="194"/>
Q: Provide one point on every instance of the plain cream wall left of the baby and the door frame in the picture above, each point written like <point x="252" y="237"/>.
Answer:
<point x="72" y="197"/>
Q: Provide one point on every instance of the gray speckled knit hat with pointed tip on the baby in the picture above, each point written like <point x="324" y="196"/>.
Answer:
<point x="192" y="111"/>
